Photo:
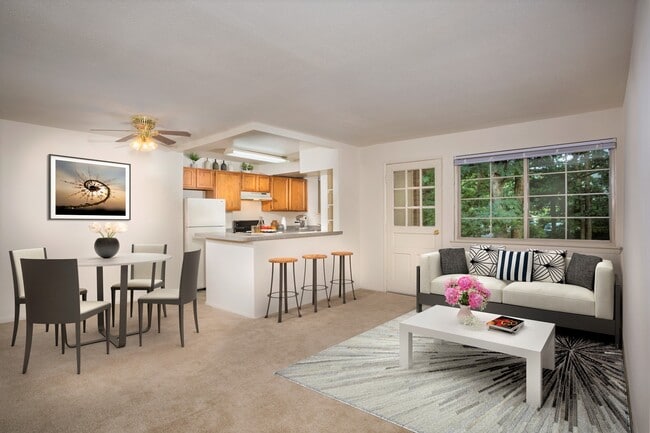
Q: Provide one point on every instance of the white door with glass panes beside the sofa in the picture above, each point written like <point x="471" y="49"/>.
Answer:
<point x="412" y="218"/>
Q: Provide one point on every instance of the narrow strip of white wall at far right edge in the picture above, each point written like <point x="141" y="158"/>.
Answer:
<point x="637" y="233"/>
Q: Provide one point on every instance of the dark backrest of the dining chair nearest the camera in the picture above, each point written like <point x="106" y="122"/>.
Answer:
<point x="51" y="290"/>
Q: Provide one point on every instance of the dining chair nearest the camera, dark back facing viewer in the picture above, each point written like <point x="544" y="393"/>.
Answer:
<point x="52" y="296"/>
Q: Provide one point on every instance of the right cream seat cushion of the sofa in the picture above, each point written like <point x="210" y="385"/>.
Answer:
<point x="567" y="298"/>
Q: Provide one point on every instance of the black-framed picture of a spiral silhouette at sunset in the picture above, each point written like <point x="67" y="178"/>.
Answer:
<point x="84" y="189"/>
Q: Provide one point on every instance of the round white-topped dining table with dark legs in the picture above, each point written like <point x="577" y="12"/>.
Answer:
<point x="123" y="261"/>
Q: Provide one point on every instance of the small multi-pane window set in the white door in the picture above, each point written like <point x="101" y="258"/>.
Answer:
<point x="414" y="197"/>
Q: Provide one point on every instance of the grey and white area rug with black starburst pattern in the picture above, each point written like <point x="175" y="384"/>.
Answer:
<point x="455" y="388"/>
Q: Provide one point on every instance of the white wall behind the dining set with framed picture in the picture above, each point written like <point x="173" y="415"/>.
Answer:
<point x="156" y="201"/>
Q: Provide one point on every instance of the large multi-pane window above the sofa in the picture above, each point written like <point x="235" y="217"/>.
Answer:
<point x="554" y="192"/>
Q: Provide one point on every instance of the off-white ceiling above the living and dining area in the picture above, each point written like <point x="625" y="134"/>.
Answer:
<point x="357" y="72"/>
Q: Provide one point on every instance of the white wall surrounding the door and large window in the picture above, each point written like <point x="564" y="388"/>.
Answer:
<point x="601" y="124"/>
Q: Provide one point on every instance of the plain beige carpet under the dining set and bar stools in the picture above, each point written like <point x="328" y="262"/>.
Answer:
<point x="221" y="381"/>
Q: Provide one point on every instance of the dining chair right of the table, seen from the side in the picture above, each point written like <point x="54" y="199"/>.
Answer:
<point x="186" y="293"/>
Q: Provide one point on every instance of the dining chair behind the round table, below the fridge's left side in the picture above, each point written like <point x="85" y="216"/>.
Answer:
<point x="144" y="276"/>
